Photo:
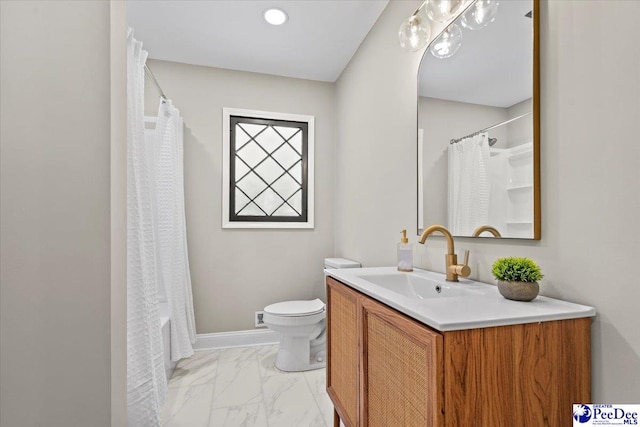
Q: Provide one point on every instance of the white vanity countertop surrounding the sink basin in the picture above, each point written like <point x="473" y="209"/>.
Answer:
<point x="485" y="307"/>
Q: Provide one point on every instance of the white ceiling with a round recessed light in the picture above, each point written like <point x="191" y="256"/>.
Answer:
<point x="316" y="42"/>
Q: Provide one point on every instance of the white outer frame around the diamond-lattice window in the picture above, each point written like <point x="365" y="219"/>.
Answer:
<point x="226" y="146"/>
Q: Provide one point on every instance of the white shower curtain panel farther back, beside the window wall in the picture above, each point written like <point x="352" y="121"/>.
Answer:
<point x="171" y="228"/>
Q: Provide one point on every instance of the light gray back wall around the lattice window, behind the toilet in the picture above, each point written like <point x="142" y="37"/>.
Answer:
<point x="236" y="272"/>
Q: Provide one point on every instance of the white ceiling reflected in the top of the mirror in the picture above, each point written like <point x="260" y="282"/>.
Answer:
<point x="493" y="66"/>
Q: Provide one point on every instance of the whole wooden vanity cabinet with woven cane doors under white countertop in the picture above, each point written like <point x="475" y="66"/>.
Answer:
<point x="386" y="369"/>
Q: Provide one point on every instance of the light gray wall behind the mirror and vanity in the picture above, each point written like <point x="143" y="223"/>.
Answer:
<point x="590" y="202"/>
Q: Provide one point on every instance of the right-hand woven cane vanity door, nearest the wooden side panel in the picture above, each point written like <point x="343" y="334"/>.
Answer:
<point x="402" y="370"/>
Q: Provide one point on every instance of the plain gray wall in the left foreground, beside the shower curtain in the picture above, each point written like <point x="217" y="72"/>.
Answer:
<point x="55" y="247"/>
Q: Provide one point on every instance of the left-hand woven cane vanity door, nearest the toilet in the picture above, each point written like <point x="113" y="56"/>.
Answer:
<point x="343" y="350"/>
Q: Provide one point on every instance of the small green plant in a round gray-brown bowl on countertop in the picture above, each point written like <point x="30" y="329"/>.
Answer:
<point x="517" y="278"/>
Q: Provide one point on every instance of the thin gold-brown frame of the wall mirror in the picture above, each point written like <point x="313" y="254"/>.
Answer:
<point x="537" y="216"/>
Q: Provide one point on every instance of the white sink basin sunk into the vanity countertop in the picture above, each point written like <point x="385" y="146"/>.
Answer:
<point x="415" y="286"/>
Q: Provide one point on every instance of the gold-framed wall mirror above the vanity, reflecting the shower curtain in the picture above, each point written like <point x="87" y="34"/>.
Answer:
<point x="479" y="123"/>
